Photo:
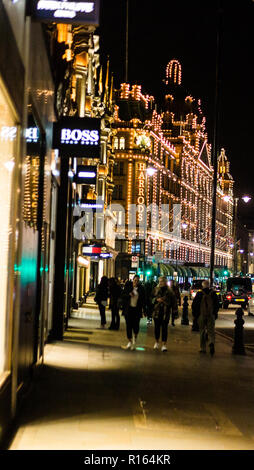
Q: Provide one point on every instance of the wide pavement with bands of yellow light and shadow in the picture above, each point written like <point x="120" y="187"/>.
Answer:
<point x="91" y="394"/>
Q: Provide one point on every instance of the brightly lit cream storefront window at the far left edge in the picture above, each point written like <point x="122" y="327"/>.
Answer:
<point x="8" y="139"/>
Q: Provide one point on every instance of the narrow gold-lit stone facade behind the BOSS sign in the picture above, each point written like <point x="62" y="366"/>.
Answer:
<point x="86" y="92"/>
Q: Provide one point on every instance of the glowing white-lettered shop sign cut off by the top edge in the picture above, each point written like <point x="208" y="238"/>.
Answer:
<point x="65" y="11"/>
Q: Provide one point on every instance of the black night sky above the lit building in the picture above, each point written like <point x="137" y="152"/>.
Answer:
<point x="186" y="30"/>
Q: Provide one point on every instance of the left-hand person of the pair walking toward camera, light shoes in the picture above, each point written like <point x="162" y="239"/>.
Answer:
<point x="133" y="302"/>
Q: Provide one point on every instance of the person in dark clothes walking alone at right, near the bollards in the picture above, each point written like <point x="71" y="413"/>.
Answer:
<point x="205" y="307"/>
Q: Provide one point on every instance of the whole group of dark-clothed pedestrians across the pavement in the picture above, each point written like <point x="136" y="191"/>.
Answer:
<point x="159" y="303"/>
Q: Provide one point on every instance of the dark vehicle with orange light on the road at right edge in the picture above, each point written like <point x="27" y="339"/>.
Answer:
<point x="238" y="292"/>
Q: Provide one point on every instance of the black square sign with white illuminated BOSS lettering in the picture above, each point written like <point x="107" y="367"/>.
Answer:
<point x="77" y="137"/>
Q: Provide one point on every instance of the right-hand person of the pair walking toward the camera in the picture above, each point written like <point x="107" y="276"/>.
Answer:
<point x="165" y="303"/>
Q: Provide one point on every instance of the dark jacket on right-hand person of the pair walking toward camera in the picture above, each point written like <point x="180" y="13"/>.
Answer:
<point x="169" y="304"/>
